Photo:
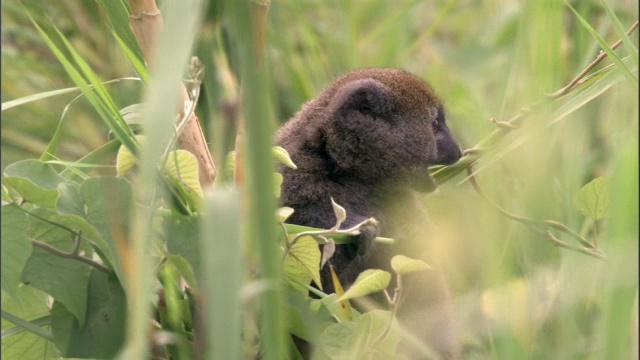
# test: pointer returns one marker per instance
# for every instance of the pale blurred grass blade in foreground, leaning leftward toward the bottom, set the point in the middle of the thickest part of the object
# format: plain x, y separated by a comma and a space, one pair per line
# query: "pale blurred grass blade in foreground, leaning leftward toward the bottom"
162, 102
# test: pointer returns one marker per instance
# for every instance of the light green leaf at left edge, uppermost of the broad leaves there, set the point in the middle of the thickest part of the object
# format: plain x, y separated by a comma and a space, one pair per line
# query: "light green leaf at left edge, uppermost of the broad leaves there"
35, 181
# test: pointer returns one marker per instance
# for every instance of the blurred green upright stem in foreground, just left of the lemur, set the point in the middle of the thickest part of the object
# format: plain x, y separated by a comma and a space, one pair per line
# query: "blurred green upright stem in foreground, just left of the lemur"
259, 169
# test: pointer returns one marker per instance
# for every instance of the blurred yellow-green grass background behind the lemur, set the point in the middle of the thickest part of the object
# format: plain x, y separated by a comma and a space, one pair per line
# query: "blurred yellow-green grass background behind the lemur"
487, 60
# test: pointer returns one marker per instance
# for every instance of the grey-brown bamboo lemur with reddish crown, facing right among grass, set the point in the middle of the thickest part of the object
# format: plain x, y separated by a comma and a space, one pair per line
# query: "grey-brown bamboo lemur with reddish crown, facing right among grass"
366, 141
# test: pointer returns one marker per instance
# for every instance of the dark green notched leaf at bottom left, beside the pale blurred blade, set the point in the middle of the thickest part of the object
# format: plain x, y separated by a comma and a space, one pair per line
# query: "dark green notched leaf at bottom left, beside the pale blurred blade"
104, 331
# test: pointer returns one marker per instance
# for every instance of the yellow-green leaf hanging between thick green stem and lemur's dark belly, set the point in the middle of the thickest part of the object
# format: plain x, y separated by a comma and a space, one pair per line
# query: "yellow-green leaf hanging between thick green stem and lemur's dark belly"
303, 263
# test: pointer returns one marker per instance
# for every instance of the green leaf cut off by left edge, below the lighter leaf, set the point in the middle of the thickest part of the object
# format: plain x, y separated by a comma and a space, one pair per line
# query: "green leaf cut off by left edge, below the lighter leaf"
16, 248
